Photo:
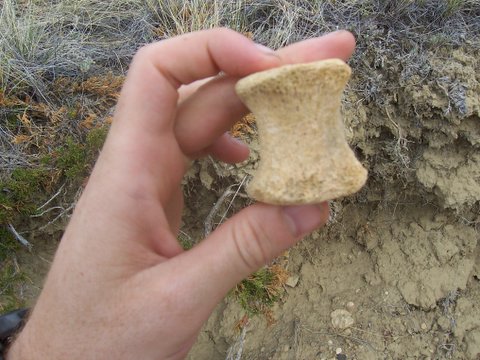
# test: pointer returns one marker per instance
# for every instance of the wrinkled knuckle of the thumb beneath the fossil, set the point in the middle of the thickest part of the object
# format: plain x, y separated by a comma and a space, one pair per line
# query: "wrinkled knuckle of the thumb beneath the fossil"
251, 241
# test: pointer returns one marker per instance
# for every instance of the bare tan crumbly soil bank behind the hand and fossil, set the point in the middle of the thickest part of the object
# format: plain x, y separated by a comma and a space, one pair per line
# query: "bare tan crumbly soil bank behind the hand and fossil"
401, 256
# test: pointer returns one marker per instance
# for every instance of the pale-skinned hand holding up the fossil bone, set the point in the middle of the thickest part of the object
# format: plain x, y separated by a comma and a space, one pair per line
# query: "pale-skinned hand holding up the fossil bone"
120, 286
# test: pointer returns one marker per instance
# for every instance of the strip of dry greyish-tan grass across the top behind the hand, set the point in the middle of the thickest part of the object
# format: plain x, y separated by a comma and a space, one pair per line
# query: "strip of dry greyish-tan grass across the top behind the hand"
45, 43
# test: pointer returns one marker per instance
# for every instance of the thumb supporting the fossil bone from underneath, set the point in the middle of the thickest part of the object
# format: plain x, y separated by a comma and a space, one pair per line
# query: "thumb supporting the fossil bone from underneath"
249, 240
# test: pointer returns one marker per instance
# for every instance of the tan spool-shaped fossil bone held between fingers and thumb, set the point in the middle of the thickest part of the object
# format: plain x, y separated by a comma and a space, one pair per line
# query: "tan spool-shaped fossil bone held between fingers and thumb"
304, 155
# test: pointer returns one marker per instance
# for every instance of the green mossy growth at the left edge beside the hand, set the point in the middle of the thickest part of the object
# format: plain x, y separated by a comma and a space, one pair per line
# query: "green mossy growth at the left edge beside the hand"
24, 189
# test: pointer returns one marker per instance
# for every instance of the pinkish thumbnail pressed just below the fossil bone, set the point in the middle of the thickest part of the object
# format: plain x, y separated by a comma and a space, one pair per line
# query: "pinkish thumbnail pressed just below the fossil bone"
306, 218
